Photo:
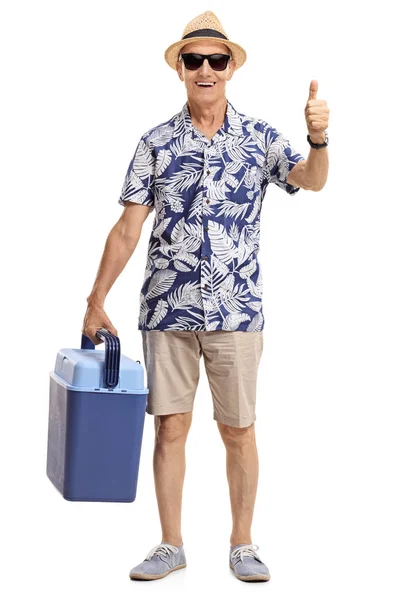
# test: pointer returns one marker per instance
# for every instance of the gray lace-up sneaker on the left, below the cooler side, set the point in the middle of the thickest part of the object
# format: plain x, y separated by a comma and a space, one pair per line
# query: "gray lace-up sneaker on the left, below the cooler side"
160, 561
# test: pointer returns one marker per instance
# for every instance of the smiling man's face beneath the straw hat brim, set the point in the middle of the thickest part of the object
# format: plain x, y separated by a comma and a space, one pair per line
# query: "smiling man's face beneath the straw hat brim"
205, 95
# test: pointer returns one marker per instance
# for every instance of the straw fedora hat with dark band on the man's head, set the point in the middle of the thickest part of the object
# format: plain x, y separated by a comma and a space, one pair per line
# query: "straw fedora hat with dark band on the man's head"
205, 26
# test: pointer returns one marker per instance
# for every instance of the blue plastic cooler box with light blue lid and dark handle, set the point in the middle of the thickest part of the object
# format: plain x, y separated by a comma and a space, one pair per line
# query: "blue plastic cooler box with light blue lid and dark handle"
96, 417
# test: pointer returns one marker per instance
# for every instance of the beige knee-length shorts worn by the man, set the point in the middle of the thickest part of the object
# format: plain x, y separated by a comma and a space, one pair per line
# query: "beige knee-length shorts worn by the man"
231, 359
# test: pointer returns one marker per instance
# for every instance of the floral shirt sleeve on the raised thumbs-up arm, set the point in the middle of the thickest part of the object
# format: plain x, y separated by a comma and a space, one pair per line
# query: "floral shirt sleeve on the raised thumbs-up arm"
281, 157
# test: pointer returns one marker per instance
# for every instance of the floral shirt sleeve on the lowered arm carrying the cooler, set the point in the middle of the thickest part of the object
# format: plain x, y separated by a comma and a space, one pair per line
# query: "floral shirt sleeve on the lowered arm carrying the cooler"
138, 185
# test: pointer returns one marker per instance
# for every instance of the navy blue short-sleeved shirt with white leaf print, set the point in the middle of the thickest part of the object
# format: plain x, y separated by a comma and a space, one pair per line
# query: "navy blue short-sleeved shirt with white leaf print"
202, 270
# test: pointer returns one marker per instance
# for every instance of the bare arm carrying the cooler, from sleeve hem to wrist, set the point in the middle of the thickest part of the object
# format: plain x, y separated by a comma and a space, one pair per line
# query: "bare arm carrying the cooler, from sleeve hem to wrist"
120, 244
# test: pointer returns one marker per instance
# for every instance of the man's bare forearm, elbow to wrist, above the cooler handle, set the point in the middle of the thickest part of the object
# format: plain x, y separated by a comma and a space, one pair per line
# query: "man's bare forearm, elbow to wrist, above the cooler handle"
117, 251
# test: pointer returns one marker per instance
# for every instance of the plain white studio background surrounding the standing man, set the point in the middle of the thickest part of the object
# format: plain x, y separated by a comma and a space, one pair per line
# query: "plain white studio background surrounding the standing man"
81, 82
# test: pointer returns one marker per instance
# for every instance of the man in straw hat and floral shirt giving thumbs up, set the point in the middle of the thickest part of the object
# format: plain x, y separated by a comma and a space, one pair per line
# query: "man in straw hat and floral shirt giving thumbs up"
205, 172
